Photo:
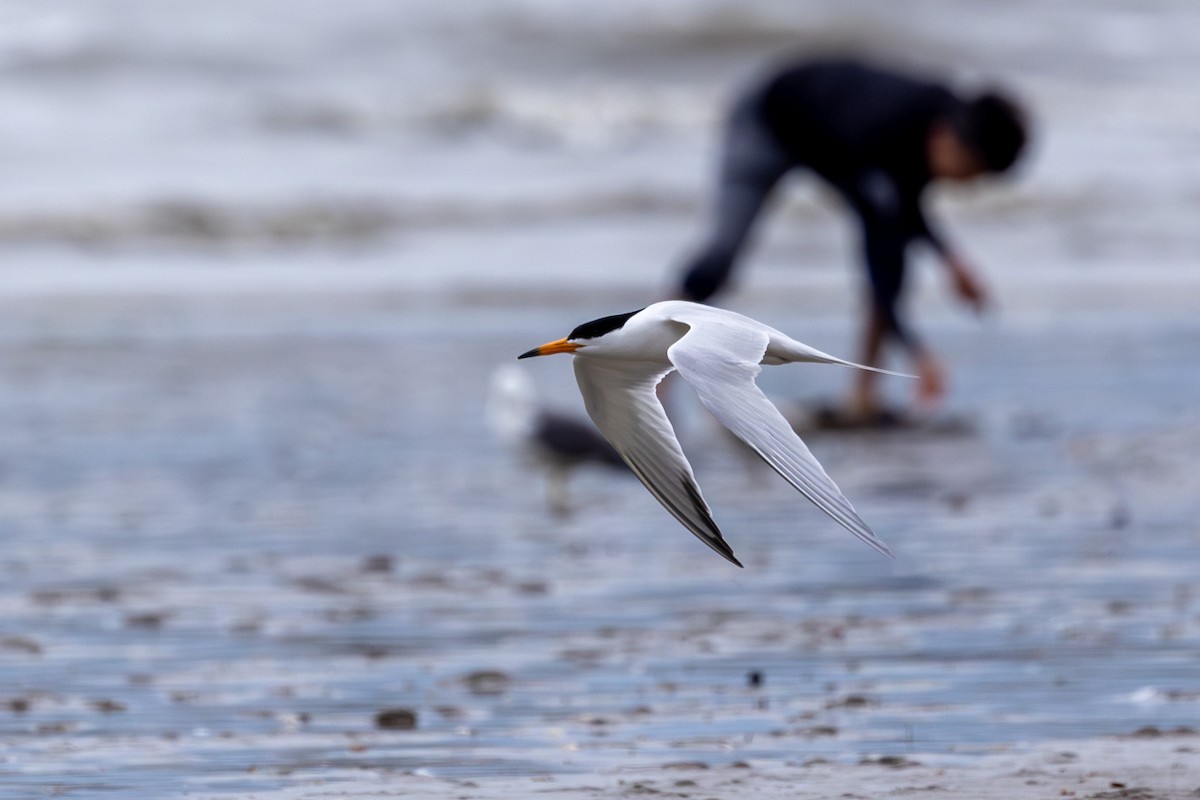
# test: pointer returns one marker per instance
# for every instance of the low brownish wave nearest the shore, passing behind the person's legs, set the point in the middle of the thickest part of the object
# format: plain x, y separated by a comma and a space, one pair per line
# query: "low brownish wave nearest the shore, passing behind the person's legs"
201, 222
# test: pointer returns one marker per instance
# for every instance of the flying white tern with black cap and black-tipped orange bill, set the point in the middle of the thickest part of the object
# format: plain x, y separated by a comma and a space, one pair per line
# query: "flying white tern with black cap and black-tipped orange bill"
621, 359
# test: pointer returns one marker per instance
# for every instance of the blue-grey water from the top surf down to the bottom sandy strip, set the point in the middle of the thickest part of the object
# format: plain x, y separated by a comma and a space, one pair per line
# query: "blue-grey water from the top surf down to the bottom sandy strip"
257, 276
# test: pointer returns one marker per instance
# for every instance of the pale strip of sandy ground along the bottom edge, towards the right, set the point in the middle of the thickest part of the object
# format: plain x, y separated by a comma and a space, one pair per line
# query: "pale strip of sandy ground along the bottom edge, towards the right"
1148, 767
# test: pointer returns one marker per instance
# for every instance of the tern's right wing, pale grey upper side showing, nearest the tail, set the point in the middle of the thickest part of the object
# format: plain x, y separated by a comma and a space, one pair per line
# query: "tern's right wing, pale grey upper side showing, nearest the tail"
722, 363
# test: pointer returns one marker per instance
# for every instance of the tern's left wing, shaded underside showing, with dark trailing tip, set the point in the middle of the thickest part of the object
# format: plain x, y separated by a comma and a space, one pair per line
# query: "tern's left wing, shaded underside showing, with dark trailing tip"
621, 399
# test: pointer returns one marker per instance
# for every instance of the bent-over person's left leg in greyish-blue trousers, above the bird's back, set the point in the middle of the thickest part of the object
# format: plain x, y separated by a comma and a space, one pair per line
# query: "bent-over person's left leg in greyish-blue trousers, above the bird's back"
752, 165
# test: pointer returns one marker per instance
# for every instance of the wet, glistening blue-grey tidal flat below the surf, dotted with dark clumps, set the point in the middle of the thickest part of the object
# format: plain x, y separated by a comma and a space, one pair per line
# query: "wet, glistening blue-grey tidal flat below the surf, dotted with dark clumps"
239, 528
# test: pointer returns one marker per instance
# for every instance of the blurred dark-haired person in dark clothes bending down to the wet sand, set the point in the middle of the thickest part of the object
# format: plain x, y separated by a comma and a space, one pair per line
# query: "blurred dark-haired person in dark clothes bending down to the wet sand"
879, 139
